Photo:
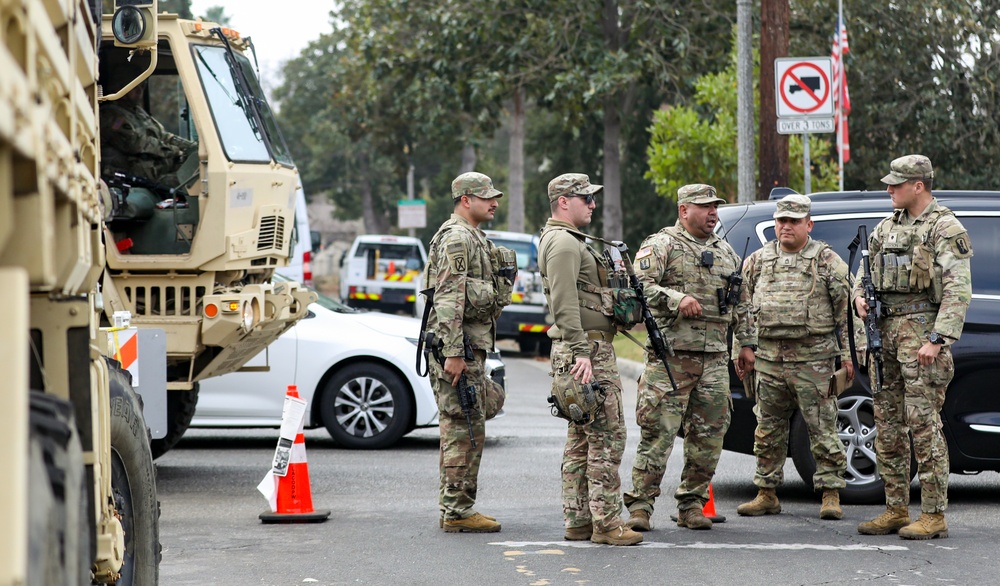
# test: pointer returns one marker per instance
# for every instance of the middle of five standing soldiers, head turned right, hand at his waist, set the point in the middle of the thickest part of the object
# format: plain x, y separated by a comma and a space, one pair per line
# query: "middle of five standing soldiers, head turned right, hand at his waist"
682, 268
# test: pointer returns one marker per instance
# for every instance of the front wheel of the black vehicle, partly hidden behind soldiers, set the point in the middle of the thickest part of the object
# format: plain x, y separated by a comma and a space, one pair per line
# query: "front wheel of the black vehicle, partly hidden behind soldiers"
856, 430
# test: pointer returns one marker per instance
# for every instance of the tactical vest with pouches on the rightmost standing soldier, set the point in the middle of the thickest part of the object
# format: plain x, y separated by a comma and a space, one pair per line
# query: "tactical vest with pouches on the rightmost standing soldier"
892, 265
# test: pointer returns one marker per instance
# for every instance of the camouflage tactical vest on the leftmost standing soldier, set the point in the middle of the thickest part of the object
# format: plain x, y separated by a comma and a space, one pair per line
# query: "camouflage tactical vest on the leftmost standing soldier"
486, 292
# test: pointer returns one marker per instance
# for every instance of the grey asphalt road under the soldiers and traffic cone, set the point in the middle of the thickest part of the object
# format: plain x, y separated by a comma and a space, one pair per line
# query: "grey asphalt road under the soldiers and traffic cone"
384, 524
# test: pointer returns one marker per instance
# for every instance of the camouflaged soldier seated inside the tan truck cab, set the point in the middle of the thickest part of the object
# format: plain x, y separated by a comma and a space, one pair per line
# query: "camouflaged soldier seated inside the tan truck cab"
135, 143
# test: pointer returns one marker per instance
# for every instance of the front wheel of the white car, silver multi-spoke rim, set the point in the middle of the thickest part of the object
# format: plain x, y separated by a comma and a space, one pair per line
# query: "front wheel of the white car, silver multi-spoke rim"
366, 406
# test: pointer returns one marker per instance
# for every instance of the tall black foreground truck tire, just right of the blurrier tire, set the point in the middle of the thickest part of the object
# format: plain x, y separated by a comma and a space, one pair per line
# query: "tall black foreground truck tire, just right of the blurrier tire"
133, 484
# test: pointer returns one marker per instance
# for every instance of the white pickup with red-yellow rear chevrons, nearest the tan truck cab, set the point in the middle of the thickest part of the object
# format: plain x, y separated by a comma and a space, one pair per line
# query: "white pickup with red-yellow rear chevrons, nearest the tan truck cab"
382, 272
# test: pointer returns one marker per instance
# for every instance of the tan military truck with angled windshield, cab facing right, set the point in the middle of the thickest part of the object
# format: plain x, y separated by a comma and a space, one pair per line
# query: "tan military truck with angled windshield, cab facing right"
194, 254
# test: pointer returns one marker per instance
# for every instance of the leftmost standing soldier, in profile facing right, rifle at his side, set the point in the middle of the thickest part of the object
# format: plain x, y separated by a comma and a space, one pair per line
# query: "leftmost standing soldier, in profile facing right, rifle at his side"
462, 268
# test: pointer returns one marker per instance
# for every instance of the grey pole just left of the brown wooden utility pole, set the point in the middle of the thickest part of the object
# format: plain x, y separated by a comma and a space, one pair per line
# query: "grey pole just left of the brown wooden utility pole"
746, 187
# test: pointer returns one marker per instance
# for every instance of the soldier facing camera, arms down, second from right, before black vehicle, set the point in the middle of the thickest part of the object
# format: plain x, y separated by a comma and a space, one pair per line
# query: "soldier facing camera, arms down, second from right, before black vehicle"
797, 298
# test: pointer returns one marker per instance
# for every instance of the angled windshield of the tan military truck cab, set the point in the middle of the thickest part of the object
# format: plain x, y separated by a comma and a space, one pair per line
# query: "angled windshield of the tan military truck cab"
238, 130
